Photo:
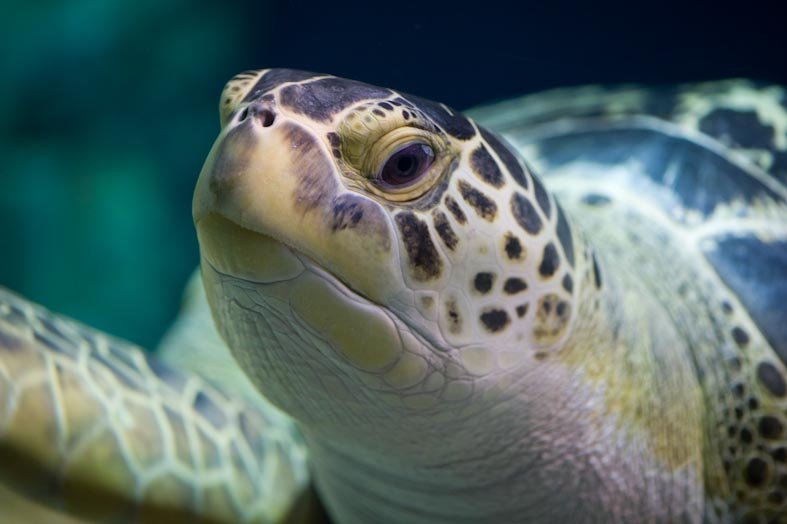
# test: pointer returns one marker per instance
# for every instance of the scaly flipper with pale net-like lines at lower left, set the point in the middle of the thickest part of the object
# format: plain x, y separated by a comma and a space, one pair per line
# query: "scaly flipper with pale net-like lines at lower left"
93, 427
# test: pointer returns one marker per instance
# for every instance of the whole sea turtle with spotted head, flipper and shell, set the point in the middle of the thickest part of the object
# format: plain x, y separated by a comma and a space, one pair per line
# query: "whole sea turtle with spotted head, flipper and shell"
451, 340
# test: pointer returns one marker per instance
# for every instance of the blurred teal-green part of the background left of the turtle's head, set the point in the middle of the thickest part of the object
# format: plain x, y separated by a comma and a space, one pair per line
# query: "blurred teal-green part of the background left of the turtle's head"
107, 111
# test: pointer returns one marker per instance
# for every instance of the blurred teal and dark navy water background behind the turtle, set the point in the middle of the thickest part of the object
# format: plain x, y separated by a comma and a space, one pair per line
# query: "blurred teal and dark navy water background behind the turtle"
108, 109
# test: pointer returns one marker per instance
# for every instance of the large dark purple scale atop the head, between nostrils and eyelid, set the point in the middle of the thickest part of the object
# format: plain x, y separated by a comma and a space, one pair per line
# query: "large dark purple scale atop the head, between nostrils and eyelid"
322, 99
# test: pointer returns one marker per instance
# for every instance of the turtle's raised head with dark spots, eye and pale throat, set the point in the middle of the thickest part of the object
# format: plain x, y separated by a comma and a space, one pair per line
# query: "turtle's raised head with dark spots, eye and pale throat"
371, 256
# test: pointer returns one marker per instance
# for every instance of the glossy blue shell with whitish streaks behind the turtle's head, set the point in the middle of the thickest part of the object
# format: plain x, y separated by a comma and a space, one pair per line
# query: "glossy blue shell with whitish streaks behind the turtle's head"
713, 156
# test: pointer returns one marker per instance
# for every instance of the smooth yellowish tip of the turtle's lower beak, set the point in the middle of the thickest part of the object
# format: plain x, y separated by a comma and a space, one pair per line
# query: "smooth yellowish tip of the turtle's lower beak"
234, 250
